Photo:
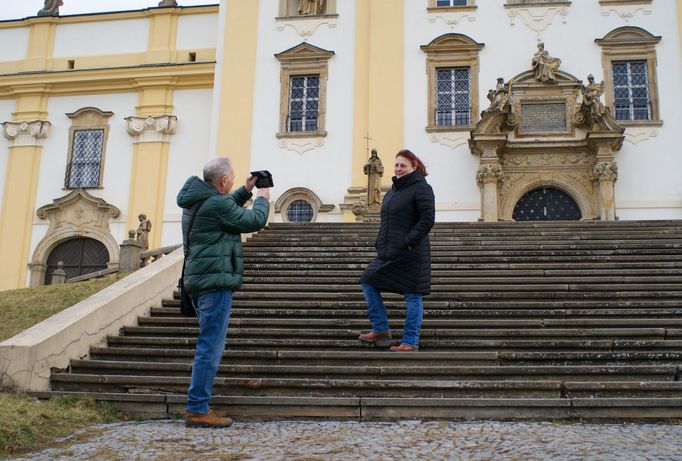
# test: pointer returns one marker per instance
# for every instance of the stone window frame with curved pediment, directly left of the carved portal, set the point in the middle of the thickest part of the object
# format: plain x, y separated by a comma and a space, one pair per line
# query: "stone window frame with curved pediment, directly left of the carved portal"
446, 51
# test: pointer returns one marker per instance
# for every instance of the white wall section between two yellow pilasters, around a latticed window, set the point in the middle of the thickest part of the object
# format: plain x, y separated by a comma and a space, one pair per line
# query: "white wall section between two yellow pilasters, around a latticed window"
325, 170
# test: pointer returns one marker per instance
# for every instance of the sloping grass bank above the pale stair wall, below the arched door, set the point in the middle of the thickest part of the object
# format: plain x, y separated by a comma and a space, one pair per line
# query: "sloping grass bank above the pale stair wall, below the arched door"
21, 309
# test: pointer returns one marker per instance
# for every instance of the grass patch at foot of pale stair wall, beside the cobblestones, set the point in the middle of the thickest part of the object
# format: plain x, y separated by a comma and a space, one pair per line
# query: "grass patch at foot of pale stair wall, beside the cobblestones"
29, 424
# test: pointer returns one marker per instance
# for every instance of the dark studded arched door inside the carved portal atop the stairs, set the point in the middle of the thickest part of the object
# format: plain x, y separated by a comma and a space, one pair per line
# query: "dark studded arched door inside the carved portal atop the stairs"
546, 204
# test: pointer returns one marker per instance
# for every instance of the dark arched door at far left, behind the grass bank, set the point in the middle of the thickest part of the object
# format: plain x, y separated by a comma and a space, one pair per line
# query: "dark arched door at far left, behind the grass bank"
80, 256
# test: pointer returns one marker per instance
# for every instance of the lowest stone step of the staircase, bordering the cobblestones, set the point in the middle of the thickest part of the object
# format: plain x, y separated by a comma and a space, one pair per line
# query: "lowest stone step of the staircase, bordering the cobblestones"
164, 405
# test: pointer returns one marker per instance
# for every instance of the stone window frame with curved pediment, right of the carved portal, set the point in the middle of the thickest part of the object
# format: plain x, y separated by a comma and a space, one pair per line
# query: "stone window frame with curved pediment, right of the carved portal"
631, 44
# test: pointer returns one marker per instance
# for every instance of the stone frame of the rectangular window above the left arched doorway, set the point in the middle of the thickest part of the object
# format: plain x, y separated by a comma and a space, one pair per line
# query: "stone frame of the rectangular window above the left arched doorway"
85, 119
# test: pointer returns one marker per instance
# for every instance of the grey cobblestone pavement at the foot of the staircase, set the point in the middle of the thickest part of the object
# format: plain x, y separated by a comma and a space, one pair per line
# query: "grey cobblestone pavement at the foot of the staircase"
385, 441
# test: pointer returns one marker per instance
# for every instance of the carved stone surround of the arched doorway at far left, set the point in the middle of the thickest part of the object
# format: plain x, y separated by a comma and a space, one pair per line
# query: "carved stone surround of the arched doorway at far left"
77, 214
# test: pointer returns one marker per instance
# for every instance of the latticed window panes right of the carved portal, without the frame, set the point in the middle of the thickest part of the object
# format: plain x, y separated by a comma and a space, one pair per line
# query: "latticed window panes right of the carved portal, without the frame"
631, 90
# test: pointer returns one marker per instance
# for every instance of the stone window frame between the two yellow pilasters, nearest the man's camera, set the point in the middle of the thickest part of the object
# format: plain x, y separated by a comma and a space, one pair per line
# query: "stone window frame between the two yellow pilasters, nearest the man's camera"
303, 59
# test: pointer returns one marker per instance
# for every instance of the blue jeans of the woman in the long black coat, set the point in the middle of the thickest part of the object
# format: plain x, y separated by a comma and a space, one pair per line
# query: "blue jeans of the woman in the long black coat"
379, 320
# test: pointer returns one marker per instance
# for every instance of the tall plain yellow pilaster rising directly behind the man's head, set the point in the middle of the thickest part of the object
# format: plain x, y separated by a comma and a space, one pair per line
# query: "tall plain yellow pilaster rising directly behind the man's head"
236, 85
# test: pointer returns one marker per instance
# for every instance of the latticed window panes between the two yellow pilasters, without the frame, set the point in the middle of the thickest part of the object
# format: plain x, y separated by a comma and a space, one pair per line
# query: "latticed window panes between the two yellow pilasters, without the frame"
304, 103
